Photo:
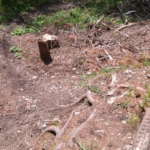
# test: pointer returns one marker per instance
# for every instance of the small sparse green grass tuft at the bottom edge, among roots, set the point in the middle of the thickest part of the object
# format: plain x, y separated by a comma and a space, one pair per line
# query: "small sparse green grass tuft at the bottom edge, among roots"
88, 146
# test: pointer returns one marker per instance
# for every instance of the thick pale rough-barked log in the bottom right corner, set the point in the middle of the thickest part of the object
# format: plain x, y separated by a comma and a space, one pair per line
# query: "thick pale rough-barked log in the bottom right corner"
142, 140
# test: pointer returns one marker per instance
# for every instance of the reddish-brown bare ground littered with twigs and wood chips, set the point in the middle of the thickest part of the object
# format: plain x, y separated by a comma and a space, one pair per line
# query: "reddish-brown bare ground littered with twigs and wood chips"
113, 63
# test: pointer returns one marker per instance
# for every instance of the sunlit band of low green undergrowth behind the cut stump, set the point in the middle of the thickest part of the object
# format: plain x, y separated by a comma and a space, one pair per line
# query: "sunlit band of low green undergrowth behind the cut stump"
61, 19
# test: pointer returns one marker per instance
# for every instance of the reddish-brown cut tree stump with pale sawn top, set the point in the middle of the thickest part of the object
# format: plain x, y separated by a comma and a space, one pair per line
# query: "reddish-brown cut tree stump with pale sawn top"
46, 43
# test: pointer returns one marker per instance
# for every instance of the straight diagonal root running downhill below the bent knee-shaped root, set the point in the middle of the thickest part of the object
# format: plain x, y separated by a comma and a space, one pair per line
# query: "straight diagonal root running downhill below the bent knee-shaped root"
76, 130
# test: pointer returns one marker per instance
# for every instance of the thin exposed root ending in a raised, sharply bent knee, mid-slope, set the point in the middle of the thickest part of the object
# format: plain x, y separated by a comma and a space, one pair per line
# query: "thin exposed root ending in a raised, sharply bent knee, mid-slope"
88, 95
